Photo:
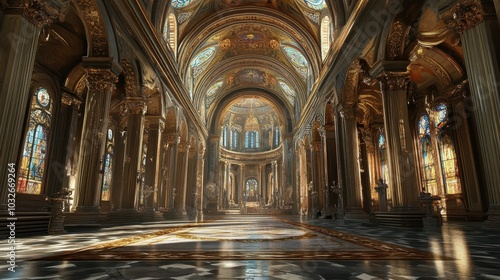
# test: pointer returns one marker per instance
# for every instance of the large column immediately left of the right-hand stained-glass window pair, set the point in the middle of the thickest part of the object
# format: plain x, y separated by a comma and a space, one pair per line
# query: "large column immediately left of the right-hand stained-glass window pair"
399, 140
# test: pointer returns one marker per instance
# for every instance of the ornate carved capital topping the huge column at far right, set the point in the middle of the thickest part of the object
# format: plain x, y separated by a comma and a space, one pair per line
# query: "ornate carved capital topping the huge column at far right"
464, 16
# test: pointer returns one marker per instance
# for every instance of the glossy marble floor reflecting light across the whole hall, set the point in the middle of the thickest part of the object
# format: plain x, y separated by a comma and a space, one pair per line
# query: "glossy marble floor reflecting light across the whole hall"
260, 247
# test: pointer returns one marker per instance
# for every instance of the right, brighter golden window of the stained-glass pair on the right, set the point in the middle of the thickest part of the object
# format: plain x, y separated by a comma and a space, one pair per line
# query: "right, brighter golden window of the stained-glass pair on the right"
447, 154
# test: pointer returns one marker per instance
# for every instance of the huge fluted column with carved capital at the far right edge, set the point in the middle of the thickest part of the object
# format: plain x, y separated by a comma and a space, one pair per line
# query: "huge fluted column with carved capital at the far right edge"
481, 61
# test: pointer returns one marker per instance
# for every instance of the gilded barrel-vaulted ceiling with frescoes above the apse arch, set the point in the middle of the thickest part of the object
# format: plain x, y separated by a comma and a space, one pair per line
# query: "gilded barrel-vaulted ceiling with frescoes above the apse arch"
229, 45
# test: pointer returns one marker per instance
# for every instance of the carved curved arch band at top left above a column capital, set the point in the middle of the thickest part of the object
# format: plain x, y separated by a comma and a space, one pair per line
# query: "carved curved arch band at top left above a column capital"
99, 43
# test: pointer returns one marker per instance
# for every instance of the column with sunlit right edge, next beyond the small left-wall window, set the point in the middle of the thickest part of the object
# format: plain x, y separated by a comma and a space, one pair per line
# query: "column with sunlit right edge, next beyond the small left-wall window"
133, 153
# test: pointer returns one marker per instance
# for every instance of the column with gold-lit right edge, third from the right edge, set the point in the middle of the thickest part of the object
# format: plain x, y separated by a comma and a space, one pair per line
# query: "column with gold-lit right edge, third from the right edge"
352, 183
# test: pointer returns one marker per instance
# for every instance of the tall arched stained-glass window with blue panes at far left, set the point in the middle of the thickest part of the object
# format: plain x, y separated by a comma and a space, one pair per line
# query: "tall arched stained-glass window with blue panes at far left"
32, 167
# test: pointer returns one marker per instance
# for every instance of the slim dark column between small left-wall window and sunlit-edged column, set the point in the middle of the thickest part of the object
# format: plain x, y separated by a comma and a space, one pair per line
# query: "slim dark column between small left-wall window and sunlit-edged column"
118, 159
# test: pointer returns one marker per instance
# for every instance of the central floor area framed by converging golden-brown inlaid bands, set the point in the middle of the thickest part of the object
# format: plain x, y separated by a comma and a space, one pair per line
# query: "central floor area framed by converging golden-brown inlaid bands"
246, 238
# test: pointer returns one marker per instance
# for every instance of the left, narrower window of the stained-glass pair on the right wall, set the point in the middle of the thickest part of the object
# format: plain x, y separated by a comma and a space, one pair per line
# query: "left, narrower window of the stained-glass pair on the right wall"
427, 152
